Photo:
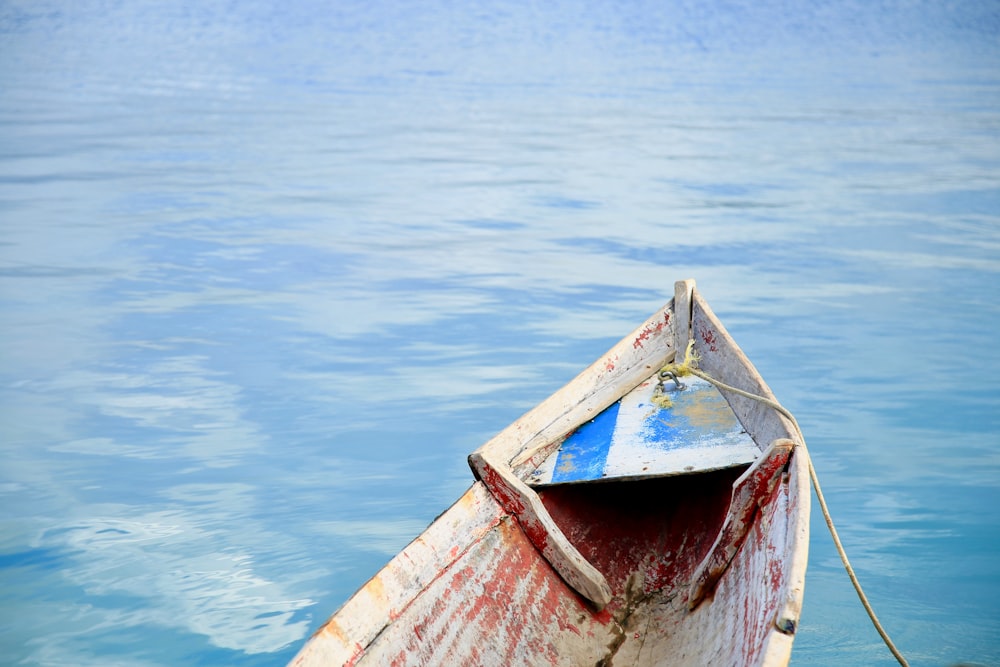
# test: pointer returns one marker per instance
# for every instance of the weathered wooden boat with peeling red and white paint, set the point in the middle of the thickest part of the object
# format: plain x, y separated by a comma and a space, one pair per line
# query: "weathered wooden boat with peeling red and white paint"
623, 521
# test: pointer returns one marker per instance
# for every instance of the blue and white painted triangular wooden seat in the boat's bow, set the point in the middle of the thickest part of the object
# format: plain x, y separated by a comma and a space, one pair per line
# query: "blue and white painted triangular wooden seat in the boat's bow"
662, 427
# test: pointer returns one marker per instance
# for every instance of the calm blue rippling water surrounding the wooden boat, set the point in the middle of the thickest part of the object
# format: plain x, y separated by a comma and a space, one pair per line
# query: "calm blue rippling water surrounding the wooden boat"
268, 274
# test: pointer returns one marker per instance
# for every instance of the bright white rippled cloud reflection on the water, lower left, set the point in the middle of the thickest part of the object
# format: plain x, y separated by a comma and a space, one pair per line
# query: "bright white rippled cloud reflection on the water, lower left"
183, 572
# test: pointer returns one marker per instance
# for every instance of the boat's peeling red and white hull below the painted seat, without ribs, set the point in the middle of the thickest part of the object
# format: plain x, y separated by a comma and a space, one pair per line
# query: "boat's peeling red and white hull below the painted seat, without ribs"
474, 590
